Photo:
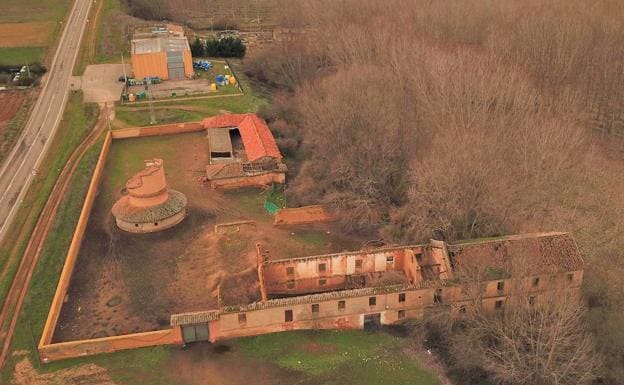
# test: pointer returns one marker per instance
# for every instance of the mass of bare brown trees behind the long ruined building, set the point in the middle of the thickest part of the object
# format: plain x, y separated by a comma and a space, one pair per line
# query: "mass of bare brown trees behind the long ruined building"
456, 120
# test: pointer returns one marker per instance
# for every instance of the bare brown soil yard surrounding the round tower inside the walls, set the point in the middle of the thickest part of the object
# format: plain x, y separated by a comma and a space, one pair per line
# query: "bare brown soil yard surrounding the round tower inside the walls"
127, 283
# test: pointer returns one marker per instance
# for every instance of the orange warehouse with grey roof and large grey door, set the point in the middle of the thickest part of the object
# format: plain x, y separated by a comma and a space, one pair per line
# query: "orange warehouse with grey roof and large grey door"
165, 54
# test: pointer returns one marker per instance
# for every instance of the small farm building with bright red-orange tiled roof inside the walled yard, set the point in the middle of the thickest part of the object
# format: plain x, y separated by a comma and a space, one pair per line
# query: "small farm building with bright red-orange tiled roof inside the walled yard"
243, 152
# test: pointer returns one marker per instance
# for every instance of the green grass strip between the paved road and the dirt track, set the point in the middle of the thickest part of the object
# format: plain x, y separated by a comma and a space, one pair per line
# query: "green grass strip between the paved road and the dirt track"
77, 121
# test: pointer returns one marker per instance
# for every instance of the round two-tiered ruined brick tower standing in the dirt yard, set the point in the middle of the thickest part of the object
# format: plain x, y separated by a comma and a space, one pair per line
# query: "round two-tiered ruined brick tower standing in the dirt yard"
148, 205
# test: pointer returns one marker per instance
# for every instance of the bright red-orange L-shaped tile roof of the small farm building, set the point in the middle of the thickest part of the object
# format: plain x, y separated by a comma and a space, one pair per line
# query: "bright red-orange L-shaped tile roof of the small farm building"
257, 137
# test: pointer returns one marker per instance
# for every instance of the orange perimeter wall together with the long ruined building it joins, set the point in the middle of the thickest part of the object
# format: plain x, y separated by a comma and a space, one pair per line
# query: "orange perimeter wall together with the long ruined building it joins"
351, 289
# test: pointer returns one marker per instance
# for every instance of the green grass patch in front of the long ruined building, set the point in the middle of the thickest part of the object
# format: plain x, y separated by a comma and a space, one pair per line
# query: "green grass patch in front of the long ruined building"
340, 357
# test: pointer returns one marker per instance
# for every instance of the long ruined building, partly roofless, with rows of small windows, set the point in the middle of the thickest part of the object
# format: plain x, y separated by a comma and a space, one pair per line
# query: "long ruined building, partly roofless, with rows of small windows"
390, 284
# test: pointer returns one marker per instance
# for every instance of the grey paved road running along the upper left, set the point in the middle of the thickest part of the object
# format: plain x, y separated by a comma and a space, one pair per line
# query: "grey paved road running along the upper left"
20, 166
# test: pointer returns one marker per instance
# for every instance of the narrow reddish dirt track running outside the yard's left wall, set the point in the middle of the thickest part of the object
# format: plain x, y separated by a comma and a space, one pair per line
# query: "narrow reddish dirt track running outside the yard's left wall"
14, 300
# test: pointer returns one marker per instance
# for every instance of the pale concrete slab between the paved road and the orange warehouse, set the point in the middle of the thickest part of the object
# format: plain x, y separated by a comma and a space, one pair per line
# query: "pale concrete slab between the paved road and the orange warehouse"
100, 82
